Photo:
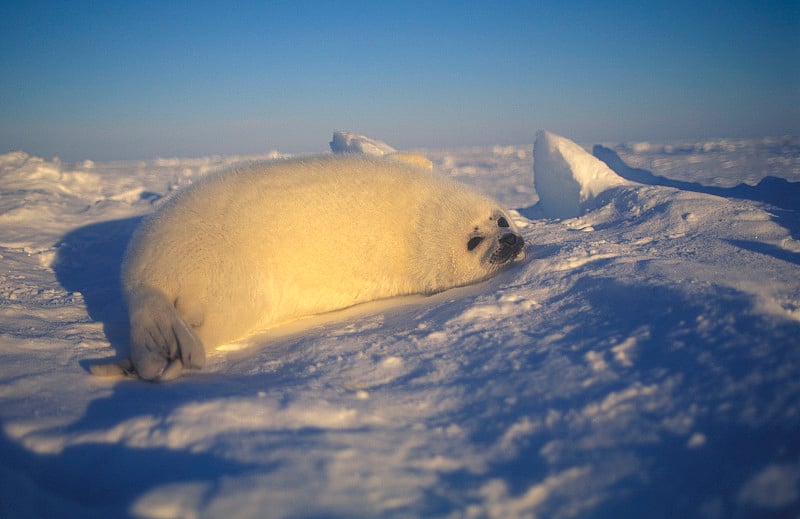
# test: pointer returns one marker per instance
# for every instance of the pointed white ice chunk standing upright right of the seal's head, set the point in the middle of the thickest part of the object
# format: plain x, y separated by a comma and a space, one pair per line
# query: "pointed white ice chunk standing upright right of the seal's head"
567, 177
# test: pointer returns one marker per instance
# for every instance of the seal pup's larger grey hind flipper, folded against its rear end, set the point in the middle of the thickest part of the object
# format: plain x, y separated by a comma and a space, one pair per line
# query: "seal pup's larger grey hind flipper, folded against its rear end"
162, 344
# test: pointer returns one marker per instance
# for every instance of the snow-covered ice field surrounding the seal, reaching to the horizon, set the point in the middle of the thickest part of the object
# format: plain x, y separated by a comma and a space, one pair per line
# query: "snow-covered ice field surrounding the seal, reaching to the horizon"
642, 361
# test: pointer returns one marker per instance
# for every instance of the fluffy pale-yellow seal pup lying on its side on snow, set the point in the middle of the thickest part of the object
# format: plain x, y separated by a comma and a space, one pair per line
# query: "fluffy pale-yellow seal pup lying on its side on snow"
248, 248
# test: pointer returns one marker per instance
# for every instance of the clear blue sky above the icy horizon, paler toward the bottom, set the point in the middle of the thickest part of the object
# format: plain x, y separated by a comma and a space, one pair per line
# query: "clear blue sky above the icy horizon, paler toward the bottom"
135, 80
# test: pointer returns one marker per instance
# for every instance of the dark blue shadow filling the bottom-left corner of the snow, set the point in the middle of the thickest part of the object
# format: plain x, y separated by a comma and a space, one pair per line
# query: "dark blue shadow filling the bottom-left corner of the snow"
98, 479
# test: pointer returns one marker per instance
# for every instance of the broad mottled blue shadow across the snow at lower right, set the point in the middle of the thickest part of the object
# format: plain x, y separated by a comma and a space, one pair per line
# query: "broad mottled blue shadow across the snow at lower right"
712, 358
